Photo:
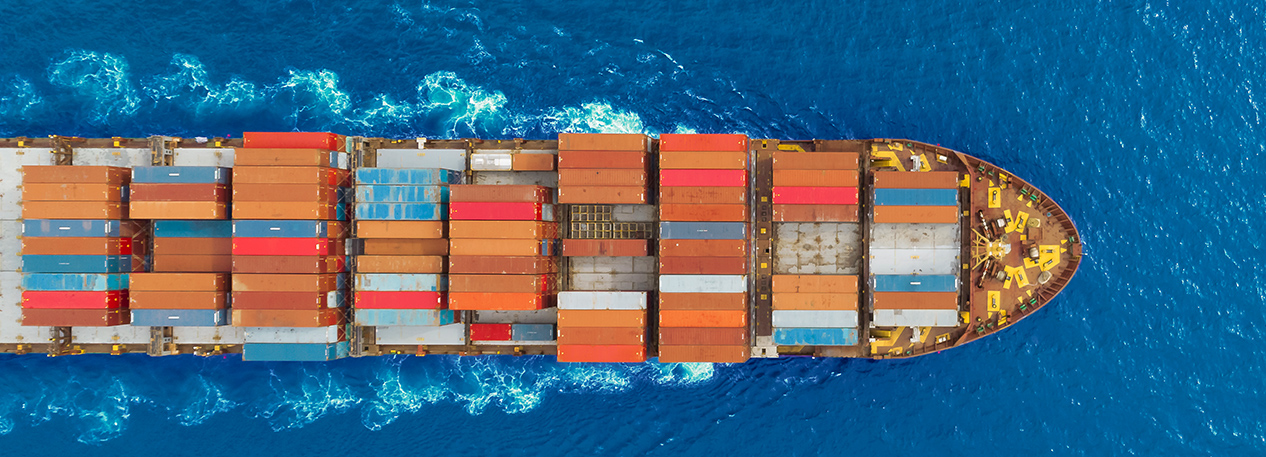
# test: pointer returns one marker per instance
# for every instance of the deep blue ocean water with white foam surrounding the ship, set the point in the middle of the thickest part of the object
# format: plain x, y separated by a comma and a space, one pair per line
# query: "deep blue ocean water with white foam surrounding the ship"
1141, 118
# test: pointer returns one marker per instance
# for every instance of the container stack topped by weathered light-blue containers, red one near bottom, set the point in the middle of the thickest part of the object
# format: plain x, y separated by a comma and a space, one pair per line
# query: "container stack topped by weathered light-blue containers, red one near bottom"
402, 261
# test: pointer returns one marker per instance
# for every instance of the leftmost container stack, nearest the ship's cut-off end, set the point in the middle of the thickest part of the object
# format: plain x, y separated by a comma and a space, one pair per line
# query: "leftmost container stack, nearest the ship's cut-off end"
78, 247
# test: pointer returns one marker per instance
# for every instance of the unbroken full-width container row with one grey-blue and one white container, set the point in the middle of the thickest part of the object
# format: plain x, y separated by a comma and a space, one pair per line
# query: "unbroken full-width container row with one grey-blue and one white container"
703, 249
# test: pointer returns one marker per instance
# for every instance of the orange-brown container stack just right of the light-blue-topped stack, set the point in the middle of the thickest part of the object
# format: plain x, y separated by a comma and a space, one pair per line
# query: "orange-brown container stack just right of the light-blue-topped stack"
502, 249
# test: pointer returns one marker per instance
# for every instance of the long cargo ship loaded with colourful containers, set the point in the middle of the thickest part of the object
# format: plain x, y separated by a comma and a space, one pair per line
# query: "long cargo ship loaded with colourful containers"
588, 247
